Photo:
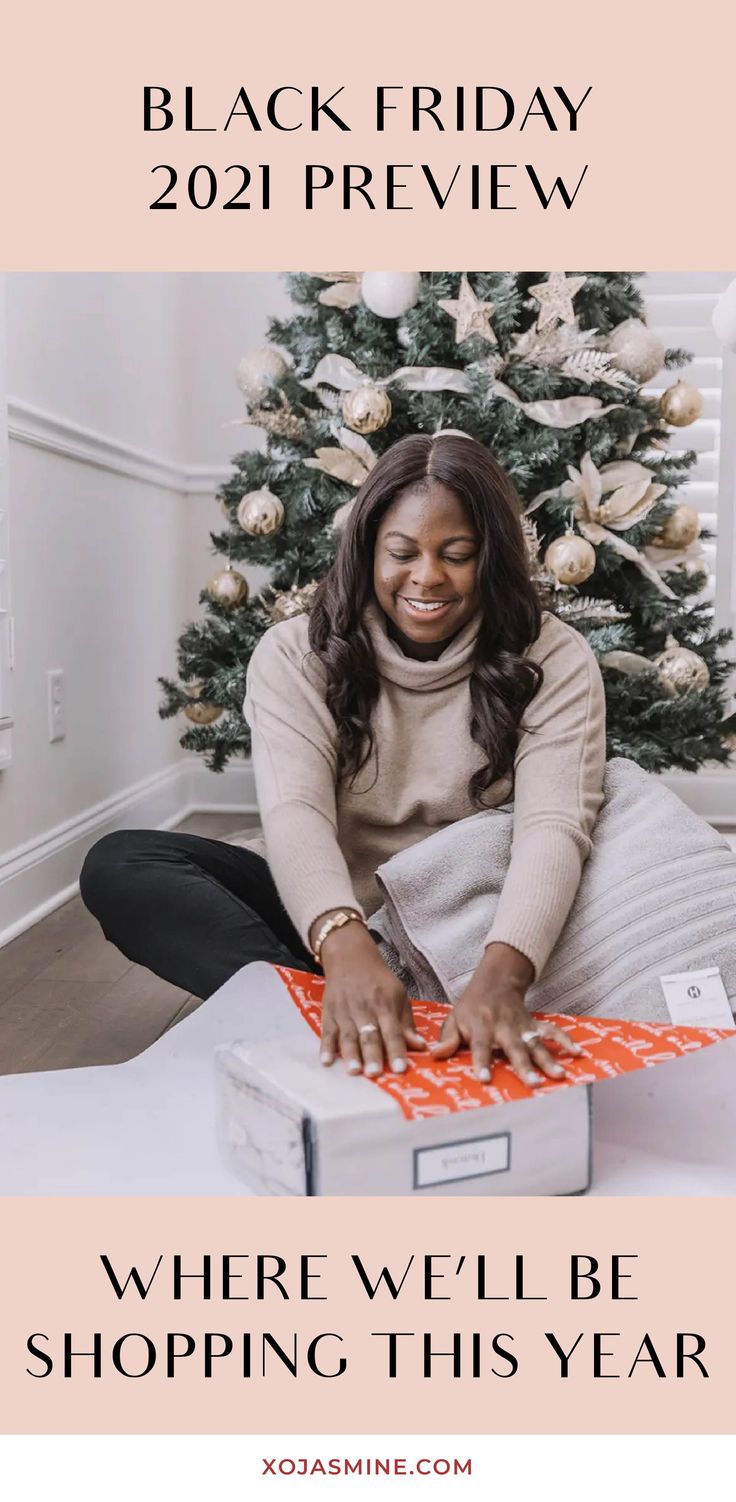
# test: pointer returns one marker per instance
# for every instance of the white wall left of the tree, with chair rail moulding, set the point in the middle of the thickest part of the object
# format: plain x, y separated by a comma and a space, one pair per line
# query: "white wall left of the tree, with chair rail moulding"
98, 562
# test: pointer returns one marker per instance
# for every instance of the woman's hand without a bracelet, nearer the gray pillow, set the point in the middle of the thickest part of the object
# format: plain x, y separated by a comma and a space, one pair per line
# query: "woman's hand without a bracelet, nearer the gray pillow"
492, 1016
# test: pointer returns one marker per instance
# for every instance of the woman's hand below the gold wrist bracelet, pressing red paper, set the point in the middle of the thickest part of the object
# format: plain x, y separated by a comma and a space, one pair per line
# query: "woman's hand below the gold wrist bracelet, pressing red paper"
366, 1013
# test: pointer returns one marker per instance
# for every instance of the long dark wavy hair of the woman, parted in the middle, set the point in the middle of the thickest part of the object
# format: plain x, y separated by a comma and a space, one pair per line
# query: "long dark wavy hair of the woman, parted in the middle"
502, 681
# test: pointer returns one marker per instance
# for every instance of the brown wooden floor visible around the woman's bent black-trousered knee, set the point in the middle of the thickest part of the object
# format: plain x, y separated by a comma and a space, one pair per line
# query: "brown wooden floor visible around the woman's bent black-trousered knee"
70, 998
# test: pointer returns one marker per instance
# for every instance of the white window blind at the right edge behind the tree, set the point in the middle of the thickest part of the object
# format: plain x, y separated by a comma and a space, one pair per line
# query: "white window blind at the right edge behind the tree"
680, 310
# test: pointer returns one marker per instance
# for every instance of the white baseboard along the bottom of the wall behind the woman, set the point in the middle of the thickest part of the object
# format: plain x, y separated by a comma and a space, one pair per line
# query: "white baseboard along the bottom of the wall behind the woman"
40, 876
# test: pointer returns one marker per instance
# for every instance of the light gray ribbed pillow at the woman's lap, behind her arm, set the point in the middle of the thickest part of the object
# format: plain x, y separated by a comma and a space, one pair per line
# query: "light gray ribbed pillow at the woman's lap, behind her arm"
657, 894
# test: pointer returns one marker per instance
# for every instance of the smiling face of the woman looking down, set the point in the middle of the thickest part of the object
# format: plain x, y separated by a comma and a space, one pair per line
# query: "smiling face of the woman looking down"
426, 567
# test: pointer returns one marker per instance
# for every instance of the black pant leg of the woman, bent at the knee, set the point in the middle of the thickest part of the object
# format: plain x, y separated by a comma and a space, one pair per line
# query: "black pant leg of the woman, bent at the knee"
193, 911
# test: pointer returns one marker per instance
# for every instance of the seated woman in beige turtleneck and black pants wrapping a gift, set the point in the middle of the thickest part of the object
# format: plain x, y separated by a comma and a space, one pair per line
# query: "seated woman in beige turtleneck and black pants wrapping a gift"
424, 686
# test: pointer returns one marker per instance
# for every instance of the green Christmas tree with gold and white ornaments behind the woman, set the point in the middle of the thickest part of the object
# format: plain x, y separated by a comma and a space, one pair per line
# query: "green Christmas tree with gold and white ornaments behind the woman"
547, 370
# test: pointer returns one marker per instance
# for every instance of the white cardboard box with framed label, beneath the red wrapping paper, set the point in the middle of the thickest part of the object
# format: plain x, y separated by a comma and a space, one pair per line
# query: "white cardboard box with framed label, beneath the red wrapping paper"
288, 1126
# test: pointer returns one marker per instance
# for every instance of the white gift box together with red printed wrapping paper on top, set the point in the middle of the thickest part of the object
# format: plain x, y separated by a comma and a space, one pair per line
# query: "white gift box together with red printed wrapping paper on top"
289, 1126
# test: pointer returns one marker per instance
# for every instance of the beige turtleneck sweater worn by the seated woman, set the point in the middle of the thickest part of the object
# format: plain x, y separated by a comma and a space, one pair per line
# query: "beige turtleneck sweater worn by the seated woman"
325, 843
